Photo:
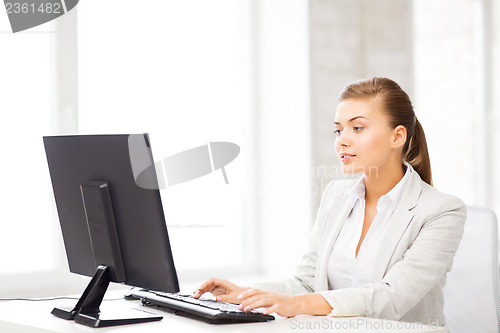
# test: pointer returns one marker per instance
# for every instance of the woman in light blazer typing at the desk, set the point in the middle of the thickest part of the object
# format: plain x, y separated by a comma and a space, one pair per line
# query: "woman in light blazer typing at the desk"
382, 244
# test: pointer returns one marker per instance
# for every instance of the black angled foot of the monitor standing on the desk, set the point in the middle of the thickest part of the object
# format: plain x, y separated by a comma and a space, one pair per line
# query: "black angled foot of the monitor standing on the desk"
87, 312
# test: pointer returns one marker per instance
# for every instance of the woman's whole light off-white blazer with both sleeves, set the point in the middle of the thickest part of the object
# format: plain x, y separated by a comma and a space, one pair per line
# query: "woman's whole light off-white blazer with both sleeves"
416, 253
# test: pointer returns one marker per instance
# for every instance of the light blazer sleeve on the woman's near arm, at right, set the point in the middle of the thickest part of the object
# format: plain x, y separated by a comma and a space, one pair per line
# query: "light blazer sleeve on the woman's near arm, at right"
421, 268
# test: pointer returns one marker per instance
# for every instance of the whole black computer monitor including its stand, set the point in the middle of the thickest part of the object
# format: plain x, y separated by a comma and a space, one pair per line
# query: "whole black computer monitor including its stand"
113, 229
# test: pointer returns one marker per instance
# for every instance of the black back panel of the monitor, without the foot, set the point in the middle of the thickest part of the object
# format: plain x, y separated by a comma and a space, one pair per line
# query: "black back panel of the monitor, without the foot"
138, 213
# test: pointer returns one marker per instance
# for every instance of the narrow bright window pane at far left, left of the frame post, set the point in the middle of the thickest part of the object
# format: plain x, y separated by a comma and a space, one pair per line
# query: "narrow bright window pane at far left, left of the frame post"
27, 216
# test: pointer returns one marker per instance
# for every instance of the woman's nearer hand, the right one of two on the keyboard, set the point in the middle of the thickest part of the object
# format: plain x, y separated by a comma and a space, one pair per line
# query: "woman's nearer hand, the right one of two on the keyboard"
284, 305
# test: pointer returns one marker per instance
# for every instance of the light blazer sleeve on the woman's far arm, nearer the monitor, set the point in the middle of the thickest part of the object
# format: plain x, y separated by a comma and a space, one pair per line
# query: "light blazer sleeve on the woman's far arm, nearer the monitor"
303, 279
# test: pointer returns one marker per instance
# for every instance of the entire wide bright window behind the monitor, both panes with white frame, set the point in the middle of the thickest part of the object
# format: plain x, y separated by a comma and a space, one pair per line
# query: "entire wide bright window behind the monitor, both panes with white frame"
188, 72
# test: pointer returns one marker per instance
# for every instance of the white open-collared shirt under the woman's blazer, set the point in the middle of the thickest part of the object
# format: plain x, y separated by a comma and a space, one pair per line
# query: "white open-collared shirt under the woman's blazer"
345, 270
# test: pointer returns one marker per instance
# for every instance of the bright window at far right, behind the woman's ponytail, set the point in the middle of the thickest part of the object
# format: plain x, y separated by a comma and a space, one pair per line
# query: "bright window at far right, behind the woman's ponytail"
449, 83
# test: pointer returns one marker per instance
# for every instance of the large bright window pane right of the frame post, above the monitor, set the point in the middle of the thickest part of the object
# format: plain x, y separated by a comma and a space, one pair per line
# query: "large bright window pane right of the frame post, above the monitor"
179, 73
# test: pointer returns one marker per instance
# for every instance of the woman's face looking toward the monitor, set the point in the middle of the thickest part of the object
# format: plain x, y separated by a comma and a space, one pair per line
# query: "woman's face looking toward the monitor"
364, 138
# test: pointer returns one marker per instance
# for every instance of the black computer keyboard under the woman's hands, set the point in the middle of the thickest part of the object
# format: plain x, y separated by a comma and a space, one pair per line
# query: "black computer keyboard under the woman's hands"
206, 310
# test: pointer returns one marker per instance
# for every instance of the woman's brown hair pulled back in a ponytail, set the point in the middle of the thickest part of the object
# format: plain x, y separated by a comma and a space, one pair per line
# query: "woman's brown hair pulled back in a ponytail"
397, 106
